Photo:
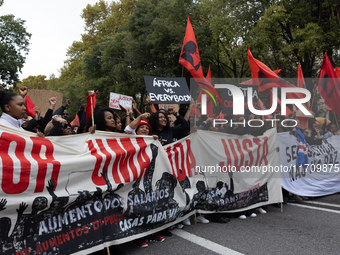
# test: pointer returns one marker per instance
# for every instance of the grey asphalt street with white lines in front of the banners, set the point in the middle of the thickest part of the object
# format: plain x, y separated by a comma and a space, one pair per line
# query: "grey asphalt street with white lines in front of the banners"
308, 227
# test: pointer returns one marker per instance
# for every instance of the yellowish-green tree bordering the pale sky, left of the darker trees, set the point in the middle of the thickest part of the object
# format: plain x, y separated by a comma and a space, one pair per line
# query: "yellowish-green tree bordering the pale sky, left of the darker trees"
102, 21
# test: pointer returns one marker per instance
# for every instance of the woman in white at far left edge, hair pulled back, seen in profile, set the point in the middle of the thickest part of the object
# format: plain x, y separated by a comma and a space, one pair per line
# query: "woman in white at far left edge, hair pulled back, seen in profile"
13, 108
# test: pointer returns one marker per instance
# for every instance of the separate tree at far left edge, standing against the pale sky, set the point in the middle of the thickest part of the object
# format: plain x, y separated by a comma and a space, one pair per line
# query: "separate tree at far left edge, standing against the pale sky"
14, 41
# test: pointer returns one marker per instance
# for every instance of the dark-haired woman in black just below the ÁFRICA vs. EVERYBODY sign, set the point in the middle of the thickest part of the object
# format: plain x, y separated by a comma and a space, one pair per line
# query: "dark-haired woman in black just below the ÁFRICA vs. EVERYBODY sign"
159, 123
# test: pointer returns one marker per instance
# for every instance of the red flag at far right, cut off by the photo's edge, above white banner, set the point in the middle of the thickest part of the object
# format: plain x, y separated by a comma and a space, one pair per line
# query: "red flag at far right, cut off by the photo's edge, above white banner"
328, 86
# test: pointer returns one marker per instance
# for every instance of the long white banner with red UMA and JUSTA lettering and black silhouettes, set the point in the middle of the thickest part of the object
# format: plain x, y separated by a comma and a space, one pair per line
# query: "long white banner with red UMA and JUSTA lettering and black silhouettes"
80, 193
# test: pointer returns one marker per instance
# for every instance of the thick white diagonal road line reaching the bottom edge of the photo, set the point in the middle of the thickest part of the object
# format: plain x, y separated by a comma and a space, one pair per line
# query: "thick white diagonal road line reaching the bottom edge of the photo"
215, 247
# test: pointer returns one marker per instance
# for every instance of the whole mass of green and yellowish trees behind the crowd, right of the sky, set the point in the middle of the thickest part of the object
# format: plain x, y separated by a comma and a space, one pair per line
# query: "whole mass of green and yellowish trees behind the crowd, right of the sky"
126, 40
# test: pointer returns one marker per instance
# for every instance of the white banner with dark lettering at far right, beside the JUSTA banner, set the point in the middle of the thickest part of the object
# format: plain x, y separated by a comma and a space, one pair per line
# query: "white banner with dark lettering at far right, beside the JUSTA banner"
321, 177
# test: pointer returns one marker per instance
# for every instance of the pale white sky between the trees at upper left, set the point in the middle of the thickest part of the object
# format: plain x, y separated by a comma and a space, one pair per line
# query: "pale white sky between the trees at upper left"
54, 26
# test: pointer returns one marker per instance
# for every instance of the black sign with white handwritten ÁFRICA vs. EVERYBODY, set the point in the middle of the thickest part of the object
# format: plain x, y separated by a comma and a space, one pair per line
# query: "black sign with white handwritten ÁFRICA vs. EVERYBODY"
167, 90
